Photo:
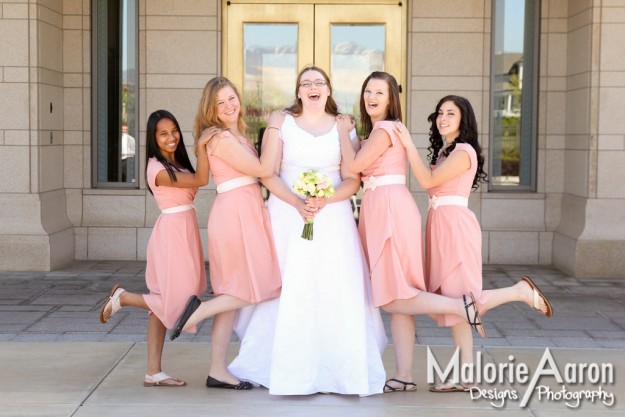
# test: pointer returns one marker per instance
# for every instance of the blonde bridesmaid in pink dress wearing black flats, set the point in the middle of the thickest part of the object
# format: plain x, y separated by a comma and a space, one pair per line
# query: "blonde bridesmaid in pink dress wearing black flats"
242, 258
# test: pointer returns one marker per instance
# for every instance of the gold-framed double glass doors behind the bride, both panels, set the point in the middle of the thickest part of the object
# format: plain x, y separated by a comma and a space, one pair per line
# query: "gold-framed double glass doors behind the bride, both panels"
266, 44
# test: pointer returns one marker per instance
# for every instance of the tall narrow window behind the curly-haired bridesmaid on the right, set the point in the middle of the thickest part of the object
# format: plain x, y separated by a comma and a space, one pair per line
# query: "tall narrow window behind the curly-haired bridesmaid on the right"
514, 95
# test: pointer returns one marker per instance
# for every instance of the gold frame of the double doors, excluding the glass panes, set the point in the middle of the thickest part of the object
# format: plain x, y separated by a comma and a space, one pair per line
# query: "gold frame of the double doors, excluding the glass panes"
314, 18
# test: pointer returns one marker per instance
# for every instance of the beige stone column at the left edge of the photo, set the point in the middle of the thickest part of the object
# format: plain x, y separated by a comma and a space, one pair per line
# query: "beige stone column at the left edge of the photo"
35, 233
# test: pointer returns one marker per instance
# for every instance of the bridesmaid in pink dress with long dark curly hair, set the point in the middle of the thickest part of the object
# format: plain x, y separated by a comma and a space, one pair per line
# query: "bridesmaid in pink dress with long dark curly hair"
453, 234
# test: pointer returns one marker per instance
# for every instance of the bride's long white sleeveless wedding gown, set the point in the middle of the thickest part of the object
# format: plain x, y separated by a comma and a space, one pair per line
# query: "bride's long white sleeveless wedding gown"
322, 334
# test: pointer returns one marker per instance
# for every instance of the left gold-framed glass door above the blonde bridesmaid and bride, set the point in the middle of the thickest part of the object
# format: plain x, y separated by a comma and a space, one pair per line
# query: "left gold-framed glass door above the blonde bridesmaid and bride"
264, 47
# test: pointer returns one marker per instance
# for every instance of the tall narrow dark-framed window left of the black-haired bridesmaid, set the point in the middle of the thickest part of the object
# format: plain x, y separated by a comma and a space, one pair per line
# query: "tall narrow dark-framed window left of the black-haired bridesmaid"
115, 93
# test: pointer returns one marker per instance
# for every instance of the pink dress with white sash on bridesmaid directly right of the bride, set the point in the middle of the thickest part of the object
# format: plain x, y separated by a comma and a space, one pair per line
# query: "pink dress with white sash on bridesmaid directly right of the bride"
390, 225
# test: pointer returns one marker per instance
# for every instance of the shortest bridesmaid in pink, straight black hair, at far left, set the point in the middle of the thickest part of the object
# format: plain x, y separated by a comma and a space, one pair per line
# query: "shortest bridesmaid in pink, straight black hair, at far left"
175, 264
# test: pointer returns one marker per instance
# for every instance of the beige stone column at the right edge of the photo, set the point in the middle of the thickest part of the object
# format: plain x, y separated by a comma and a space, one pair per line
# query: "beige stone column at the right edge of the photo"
590, 239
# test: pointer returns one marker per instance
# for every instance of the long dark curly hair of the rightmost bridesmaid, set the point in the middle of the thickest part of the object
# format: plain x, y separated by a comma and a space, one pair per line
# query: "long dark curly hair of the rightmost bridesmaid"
468, 134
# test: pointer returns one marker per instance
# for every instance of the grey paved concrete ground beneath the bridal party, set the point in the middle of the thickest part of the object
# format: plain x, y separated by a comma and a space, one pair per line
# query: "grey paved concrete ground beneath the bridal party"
56, 359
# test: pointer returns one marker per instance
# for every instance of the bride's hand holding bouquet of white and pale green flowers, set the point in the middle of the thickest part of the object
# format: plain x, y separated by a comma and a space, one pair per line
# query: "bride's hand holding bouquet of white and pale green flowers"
316, 187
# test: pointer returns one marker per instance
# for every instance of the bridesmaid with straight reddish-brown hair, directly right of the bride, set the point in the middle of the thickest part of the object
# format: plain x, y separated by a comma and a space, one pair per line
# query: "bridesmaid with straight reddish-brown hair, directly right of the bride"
390, 227
